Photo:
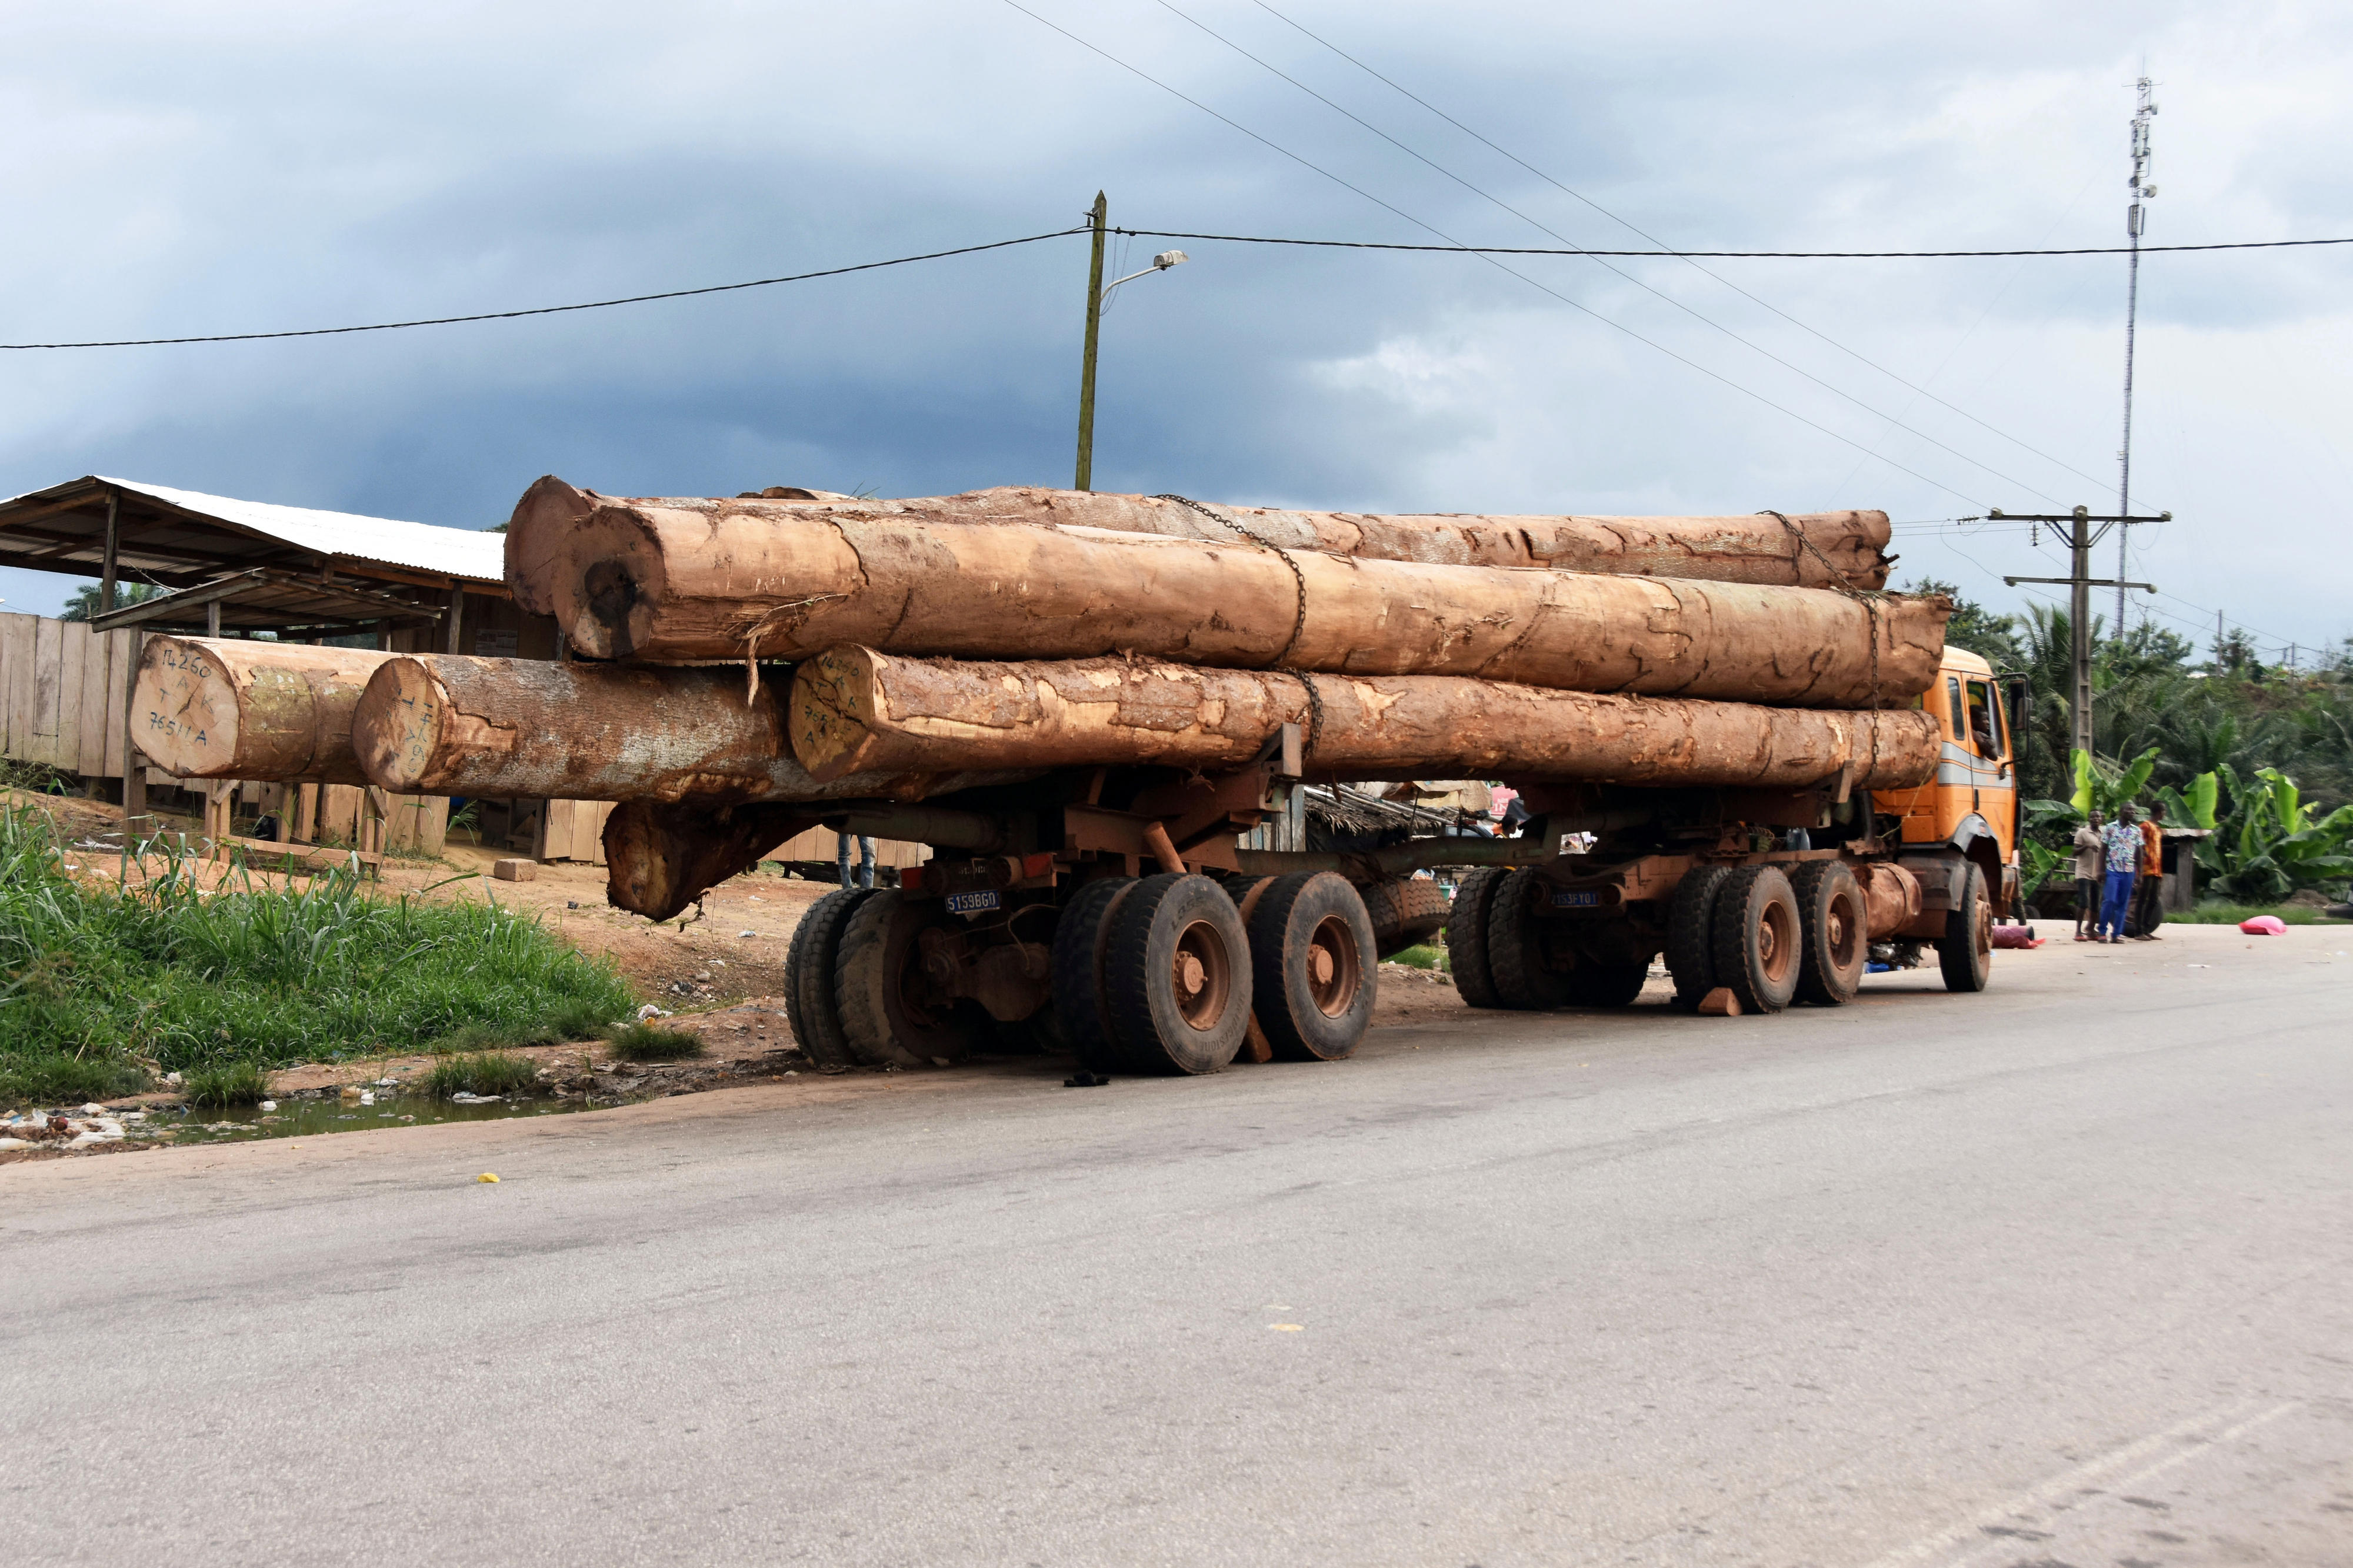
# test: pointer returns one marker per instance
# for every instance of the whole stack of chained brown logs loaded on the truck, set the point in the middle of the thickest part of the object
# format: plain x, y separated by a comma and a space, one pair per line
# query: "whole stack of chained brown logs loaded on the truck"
742, 663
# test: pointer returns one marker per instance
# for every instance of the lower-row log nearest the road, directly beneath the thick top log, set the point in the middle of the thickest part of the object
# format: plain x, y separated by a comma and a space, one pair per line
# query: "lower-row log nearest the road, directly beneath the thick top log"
860, 710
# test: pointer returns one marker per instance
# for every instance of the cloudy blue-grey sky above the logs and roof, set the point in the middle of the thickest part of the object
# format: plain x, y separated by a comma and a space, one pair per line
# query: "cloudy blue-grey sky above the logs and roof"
253, 166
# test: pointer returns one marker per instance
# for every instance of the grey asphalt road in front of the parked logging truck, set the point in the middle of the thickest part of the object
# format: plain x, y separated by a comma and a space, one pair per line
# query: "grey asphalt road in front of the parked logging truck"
2053, 1275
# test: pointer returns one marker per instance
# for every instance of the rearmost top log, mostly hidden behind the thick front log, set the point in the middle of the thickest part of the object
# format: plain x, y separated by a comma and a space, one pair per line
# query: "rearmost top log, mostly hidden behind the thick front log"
1808, 552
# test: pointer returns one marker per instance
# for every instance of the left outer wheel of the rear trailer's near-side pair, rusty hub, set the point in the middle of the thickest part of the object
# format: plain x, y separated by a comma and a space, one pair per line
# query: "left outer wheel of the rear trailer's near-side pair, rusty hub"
1178, 976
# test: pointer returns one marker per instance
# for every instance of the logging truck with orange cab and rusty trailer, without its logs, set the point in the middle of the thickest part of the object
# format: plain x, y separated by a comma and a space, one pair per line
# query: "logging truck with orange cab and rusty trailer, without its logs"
1114, 910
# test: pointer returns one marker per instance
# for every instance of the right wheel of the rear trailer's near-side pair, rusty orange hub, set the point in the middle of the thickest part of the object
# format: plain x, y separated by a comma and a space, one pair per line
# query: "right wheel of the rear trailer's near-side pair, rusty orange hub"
1312, 962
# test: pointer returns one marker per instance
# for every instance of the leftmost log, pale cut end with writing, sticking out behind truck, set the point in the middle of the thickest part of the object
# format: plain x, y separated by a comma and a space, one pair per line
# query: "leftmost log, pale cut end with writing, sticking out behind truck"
236, 710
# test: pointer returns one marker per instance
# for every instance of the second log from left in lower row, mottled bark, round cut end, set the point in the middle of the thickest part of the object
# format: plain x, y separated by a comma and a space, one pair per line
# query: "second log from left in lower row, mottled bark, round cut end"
533, 731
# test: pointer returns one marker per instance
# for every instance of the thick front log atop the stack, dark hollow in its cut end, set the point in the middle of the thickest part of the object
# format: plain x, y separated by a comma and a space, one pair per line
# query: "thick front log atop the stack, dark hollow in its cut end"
662, 583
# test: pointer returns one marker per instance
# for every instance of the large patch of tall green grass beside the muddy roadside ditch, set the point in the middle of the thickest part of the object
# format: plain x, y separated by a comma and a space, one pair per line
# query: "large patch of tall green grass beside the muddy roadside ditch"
175, 976
